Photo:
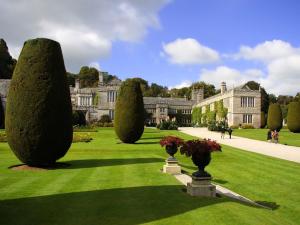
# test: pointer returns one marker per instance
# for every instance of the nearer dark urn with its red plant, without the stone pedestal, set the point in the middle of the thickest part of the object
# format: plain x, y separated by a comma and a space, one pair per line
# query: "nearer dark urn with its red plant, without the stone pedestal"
200, 150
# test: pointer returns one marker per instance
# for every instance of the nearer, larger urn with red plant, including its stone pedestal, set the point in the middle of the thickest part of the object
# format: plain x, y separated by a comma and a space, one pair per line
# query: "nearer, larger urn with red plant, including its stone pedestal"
200, 152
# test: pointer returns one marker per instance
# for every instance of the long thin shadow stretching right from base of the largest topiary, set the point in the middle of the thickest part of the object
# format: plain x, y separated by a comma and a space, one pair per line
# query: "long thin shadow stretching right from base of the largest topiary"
90, 163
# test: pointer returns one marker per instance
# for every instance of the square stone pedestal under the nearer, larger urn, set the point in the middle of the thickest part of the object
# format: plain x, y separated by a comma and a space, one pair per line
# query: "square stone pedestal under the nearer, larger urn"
201, 186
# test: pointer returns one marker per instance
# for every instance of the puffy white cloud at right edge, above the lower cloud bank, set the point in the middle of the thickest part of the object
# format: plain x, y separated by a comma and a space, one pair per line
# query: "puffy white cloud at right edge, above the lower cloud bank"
267, 51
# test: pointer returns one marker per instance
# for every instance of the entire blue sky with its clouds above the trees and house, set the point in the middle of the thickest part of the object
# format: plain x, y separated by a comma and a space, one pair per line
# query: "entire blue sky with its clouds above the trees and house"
169, 42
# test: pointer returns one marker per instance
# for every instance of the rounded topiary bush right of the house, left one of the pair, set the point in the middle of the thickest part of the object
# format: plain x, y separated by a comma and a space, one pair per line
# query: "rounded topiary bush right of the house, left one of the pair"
274, 120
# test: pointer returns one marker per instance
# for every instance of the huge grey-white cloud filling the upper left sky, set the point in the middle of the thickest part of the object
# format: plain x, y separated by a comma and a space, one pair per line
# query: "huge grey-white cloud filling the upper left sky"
86, 29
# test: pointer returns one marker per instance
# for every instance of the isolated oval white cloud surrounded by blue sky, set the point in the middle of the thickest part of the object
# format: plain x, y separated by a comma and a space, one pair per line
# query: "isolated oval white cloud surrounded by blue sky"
189, 51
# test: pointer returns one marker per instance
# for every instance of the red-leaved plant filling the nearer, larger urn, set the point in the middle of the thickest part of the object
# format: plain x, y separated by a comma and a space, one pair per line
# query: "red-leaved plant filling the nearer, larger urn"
193, 147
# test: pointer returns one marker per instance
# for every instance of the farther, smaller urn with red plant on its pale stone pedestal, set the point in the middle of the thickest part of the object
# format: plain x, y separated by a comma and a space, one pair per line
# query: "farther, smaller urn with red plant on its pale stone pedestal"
171, 143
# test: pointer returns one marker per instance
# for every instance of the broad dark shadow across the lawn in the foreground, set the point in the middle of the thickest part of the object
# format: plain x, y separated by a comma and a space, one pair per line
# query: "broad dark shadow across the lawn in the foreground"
121, 206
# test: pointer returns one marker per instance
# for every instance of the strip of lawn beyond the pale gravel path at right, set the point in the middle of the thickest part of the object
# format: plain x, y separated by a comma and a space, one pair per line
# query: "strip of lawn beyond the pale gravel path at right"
285, 136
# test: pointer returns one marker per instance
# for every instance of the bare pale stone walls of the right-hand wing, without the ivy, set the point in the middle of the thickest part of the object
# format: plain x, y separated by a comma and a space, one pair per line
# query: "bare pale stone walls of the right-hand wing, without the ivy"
243, 104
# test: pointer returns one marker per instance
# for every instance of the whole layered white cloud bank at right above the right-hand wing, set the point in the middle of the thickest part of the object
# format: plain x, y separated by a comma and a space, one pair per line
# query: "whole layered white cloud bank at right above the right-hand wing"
281, 66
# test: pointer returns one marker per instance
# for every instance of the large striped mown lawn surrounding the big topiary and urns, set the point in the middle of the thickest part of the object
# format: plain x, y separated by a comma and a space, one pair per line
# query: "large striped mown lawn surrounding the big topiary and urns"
113, 183
